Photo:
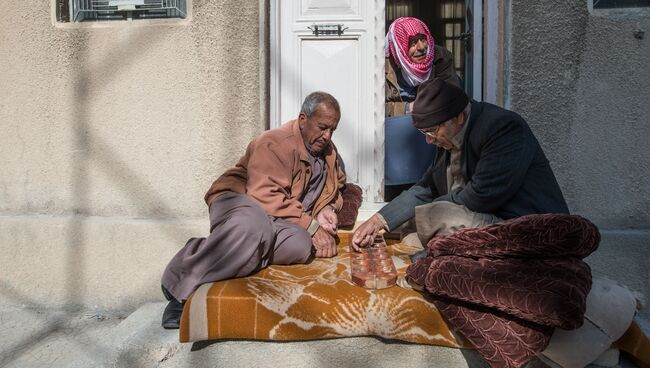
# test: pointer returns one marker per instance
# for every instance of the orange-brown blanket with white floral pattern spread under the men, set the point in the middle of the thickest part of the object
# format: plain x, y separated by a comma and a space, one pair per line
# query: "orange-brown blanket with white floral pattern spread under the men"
314, 301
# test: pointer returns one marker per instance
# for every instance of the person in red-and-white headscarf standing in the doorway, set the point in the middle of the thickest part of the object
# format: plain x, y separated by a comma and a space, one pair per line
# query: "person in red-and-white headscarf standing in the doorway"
411, 59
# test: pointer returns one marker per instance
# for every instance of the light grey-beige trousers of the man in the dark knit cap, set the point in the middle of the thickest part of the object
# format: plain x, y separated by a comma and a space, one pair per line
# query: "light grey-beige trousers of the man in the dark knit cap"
442, 218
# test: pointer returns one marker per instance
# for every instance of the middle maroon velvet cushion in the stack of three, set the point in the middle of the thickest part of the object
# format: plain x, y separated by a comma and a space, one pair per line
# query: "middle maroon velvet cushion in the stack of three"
550, 292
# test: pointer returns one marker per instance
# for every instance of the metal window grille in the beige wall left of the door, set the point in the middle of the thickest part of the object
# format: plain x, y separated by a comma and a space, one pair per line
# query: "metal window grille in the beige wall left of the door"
100, 10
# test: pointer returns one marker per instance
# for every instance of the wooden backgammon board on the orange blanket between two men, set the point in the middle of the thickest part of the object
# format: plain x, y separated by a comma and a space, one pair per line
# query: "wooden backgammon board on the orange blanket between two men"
373, 267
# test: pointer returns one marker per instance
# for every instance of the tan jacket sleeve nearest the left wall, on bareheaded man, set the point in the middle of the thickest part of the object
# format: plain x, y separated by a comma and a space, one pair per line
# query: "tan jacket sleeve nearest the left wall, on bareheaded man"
270, 177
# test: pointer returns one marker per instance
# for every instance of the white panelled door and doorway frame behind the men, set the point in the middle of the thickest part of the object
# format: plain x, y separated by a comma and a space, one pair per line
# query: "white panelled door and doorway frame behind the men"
350, 66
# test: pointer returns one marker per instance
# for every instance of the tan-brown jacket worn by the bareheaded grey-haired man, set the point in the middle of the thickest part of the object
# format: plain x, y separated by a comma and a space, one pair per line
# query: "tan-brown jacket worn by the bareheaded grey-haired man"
275, 171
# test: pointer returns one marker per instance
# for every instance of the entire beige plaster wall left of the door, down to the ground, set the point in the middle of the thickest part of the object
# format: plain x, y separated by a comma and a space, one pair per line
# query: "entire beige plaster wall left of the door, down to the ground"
109, 137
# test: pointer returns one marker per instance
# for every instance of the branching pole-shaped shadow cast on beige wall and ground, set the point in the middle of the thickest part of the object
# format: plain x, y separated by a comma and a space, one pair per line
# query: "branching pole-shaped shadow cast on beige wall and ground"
83, 141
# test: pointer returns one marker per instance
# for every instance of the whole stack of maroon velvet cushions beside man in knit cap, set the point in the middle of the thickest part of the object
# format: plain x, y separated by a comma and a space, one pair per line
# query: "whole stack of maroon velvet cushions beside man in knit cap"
507, 285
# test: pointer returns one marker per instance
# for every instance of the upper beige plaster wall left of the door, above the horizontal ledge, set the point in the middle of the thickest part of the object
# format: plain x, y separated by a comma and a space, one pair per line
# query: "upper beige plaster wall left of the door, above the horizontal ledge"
124, 121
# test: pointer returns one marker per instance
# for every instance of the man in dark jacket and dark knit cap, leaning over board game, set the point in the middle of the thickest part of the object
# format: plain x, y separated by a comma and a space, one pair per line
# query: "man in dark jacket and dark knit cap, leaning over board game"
489, 167
